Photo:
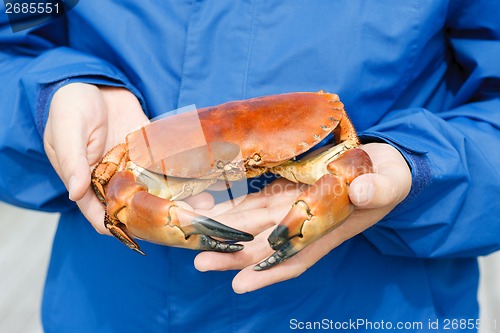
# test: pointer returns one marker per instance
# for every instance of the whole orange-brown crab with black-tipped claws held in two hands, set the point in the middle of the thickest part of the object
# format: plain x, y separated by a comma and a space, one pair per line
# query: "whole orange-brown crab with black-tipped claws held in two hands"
140, 181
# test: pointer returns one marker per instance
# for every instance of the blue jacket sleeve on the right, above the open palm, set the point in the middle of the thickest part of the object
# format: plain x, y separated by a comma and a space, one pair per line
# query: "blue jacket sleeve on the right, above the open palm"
453, 209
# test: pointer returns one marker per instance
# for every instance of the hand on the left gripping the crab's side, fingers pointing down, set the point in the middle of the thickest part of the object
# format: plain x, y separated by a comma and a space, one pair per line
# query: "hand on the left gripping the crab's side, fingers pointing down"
85, 121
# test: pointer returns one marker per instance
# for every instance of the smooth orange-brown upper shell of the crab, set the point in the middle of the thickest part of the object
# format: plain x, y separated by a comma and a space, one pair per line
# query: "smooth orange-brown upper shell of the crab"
268, 130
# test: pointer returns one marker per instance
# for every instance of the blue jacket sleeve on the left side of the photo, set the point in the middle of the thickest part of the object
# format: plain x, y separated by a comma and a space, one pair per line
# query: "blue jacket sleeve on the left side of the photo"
31, 61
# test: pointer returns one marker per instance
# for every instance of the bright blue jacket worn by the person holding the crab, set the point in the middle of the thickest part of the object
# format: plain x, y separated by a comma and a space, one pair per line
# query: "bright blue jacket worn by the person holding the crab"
421, 75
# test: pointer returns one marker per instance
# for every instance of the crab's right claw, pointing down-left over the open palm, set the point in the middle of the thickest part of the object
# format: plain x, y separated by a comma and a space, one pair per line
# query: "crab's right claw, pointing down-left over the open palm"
324, 206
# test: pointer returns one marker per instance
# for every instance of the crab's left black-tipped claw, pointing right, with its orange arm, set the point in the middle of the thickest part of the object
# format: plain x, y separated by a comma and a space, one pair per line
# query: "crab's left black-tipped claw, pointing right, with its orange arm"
134, 213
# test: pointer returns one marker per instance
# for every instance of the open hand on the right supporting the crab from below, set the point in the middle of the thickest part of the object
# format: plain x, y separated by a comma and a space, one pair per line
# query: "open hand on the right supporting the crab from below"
374, 196
